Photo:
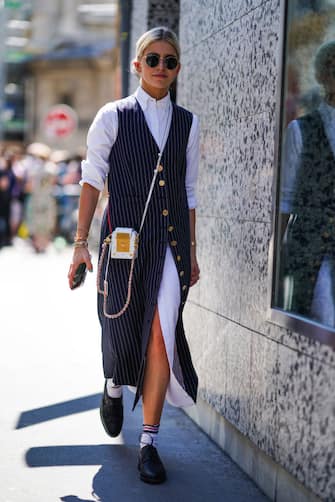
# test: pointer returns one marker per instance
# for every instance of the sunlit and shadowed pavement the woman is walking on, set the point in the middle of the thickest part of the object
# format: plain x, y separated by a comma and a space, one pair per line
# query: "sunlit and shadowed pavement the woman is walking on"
53, 447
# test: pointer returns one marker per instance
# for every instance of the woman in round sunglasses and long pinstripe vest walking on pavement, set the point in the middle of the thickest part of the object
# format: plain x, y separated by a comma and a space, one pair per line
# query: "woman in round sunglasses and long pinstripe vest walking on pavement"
128, 141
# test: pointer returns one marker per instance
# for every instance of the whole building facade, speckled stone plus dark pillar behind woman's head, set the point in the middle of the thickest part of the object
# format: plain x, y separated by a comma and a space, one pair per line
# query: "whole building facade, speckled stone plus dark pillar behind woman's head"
265, 388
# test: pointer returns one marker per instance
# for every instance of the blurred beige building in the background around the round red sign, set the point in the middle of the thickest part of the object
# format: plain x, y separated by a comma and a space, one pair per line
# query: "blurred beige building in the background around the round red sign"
68, 55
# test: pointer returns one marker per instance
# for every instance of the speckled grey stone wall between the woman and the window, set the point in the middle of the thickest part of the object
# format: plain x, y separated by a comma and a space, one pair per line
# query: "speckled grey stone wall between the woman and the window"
274, 386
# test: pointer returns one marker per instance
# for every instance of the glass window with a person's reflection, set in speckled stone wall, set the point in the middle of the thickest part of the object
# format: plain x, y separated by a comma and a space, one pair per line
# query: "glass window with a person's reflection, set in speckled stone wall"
304, 283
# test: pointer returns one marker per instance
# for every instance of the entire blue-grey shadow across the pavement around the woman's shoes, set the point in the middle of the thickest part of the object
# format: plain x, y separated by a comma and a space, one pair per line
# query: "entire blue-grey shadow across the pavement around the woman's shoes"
197, 469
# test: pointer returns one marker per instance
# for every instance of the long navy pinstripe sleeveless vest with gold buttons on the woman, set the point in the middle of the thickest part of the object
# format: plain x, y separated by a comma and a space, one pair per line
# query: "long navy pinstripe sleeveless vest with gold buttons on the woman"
132, 160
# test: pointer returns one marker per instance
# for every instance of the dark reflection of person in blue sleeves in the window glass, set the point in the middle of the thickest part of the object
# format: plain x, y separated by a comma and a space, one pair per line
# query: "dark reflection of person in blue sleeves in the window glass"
309, 192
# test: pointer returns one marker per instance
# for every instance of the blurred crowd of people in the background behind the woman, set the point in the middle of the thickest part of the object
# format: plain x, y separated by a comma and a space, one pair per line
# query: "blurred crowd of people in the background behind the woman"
39, 191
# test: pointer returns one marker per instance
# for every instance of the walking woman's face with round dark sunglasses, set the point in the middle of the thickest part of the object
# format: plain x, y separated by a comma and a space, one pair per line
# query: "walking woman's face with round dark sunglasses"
156, 80
